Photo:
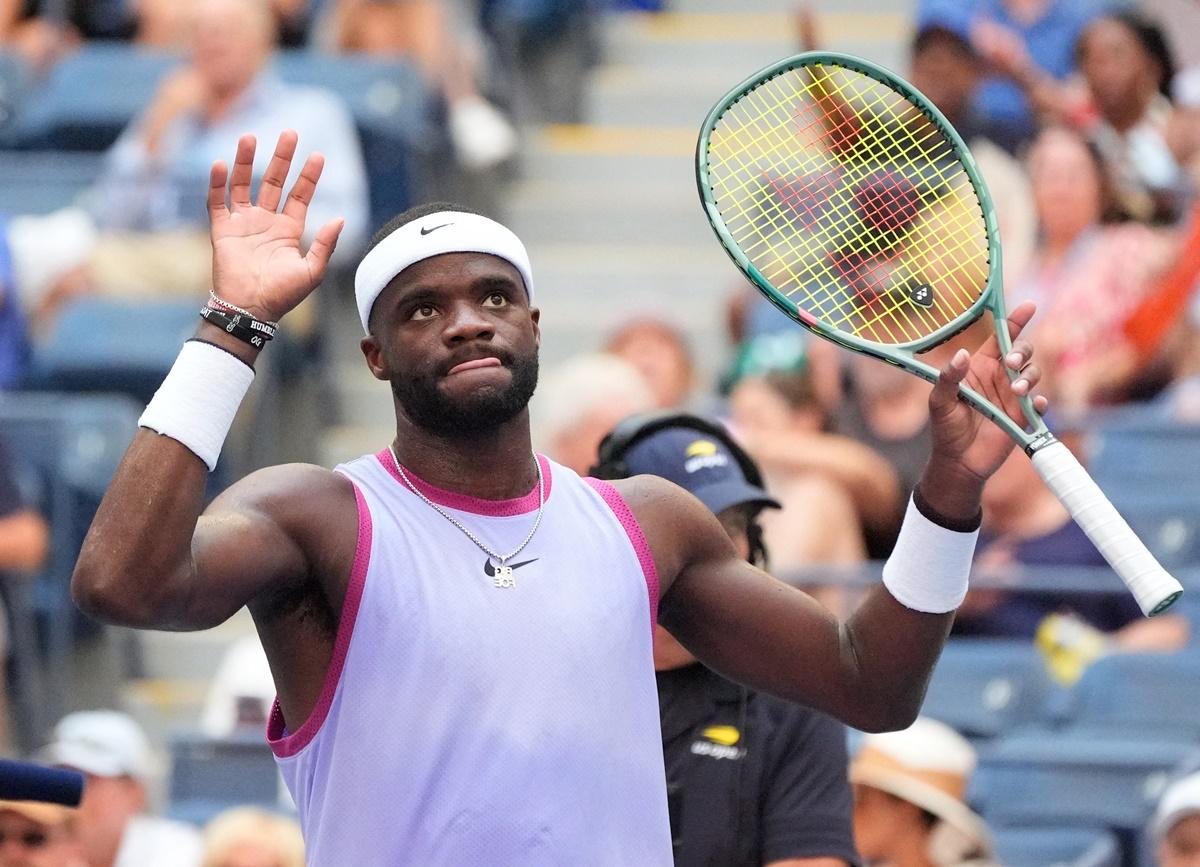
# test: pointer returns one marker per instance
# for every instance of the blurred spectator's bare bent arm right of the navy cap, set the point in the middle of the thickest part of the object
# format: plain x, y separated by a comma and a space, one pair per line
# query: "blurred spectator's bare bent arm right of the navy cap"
869, 479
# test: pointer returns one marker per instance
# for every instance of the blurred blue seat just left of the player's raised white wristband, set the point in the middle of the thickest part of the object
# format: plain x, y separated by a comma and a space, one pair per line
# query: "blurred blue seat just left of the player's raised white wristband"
105, 345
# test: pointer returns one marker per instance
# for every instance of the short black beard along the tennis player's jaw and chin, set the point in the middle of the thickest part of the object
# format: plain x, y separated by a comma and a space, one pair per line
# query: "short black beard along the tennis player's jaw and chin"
479, 412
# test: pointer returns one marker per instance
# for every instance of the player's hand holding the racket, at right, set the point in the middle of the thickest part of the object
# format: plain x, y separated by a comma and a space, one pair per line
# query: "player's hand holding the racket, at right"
963, 438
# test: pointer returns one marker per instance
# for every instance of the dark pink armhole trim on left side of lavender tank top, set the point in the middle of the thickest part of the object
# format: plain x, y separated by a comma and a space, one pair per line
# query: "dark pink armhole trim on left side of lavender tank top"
285, 744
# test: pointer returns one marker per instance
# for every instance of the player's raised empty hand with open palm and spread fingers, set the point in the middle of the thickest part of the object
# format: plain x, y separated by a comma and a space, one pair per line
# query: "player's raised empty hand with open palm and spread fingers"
257, 264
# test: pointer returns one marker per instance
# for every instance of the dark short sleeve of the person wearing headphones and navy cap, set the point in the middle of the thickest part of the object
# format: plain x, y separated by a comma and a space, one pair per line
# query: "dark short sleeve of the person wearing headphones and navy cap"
807, 804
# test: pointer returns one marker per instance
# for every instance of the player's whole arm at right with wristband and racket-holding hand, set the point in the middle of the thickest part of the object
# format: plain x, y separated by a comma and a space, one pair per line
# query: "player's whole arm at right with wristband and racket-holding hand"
871, 672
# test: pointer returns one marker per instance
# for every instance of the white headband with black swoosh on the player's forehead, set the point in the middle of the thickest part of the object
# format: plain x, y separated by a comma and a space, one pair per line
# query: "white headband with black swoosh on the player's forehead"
445, 232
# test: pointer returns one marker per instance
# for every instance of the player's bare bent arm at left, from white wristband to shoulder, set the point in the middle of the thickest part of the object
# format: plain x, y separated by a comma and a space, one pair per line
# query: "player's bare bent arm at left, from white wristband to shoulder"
152, 560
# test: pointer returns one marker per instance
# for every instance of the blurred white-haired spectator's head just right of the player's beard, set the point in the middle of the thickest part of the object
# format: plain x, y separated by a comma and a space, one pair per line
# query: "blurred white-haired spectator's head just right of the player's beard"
581, 400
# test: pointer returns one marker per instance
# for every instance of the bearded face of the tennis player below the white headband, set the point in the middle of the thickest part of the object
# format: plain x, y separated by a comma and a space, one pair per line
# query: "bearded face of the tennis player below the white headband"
458, 340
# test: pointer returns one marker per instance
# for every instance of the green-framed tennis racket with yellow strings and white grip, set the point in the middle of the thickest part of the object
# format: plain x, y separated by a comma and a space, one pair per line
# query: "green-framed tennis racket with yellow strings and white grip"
854, 206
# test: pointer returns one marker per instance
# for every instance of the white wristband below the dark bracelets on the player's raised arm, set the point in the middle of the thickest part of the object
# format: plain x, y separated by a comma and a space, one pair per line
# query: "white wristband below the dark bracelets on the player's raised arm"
199, 399
